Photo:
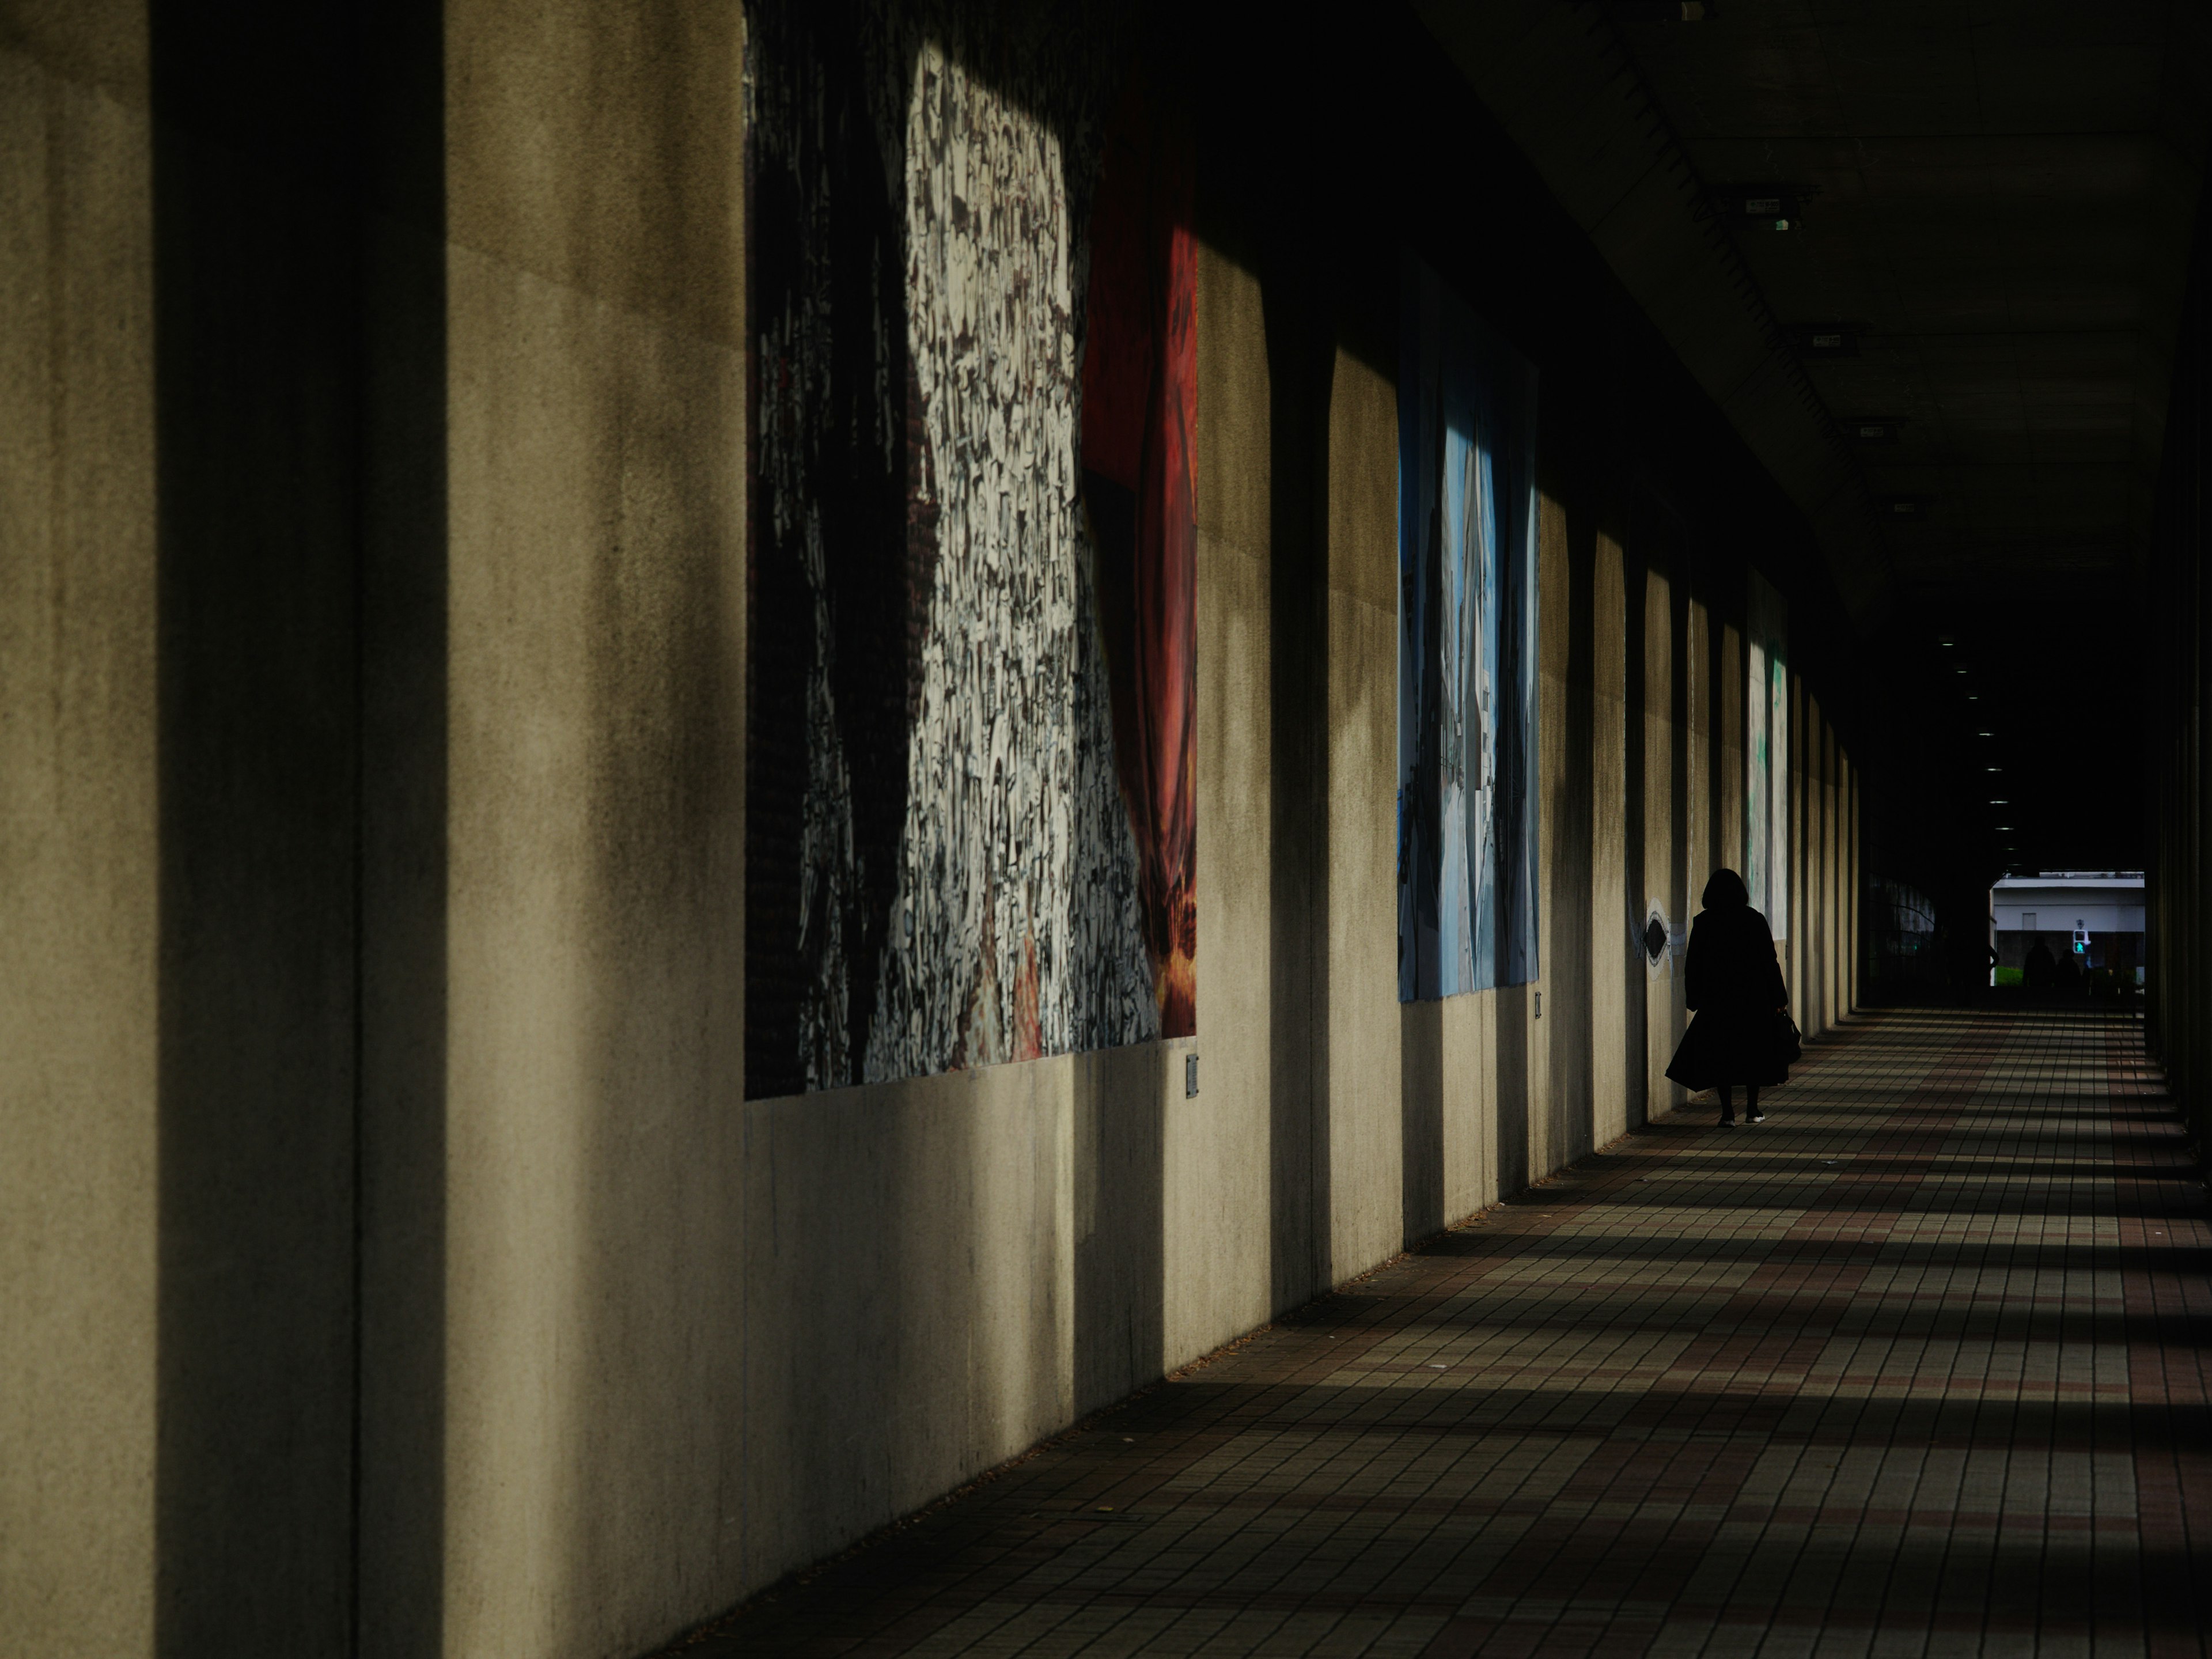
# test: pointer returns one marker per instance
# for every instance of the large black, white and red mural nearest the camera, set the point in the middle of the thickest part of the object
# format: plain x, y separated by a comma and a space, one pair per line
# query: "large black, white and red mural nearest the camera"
972, 665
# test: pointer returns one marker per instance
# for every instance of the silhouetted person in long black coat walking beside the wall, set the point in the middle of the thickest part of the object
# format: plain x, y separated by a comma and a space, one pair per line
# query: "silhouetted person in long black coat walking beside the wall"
1740, 999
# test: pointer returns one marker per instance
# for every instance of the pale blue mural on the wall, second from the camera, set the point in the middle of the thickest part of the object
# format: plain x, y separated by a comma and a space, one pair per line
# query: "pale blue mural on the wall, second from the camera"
1468, 645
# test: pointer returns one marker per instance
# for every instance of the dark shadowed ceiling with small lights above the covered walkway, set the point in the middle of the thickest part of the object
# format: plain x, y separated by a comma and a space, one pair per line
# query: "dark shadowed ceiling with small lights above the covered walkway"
1992, 205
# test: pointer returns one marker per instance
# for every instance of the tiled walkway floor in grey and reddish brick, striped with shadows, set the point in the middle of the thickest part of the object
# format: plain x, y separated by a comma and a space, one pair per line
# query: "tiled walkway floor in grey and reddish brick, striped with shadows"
1914, 1368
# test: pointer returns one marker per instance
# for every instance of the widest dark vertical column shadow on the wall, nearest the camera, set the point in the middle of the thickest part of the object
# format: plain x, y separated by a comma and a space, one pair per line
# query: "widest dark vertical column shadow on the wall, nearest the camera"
267, 404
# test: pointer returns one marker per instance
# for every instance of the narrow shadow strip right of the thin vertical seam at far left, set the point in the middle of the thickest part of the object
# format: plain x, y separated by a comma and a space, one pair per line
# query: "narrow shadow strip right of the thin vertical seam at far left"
404, 846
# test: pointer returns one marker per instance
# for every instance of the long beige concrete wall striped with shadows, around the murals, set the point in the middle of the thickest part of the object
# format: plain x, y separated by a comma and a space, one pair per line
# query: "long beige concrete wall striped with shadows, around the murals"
388, 1255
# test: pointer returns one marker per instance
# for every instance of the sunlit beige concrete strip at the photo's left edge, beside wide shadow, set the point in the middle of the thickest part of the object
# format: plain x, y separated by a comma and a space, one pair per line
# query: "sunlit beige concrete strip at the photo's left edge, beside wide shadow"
79, 835
